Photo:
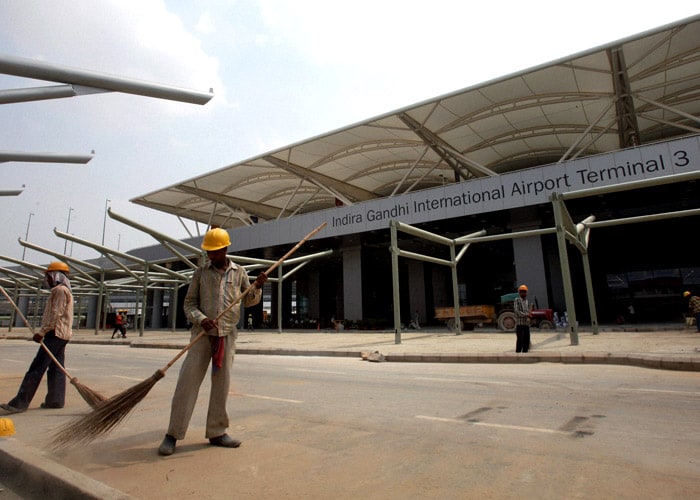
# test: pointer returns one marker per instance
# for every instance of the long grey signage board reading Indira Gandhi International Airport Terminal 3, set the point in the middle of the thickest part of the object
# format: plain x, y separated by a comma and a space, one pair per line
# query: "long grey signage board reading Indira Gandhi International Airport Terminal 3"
526, 187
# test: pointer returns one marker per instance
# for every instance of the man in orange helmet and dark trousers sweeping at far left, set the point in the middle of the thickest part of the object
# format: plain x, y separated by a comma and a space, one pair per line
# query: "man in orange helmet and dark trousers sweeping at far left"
55, 332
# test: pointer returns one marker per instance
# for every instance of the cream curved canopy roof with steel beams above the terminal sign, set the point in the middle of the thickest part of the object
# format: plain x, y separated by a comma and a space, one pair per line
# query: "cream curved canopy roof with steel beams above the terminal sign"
634, 91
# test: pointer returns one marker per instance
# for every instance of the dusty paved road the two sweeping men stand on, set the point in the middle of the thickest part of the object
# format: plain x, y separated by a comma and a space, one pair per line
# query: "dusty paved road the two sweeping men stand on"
318, 427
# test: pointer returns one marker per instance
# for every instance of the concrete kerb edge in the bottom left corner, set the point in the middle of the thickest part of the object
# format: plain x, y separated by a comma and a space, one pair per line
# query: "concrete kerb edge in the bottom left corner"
22, 464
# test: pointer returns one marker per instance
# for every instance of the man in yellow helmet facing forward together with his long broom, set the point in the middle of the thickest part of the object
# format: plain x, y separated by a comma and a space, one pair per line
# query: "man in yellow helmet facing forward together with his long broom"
217, 287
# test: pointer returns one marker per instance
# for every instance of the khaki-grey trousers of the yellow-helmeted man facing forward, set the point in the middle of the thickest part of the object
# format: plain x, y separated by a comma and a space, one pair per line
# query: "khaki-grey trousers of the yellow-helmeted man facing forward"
194, 367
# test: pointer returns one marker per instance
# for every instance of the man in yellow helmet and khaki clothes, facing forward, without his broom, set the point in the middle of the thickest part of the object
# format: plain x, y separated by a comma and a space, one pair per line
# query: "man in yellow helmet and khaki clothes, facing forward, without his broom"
215, 285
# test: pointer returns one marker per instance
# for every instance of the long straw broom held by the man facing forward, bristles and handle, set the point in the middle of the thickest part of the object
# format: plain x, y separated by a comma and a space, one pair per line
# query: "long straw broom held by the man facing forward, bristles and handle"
110, 413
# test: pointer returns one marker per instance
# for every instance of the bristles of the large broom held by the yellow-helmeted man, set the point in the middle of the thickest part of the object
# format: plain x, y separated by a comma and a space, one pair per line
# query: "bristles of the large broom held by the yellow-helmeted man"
105, 416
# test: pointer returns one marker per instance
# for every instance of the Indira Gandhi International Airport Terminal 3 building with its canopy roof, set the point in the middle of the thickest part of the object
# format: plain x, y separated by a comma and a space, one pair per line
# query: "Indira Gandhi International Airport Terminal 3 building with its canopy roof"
469, 194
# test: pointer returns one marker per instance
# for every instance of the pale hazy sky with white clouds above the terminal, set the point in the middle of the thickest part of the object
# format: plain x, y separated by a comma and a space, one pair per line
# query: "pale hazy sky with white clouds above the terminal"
281, 71
